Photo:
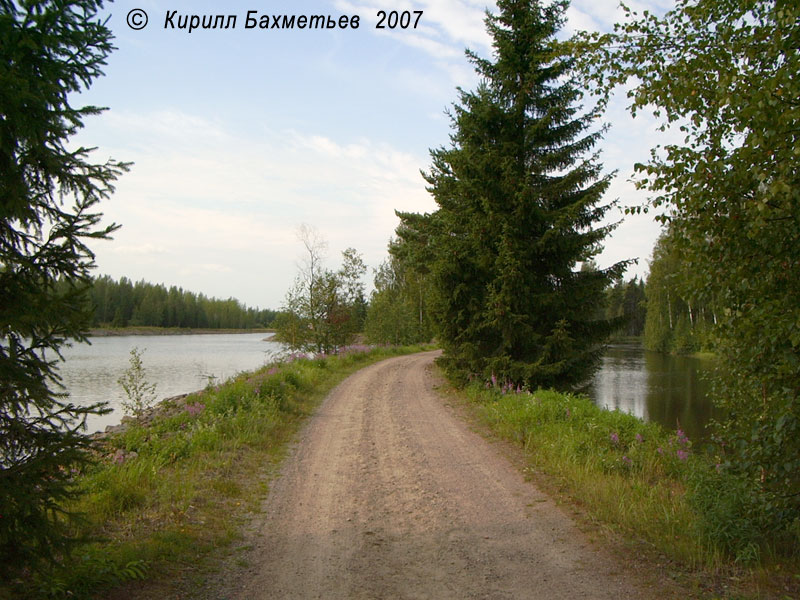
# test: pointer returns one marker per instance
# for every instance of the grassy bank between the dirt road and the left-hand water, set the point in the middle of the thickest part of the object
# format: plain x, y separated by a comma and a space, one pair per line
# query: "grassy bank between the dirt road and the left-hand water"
166, 499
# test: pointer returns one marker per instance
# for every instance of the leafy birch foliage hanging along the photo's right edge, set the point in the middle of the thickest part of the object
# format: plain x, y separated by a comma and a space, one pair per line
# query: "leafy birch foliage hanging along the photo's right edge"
725, 72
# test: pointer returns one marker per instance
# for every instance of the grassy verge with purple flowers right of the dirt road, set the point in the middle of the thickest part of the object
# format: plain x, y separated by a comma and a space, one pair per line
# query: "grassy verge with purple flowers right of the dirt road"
648, 484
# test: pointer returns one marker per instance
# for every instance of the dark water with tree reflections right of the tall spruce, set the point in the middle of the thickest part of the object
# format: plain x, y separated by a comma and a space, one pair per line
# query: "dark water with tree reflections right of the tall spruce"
670, 390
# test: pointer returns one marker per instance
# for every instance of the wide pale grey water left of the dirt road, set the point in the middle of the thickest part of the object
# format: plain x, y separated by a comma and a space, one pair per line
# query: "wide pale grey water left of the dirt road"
177, 364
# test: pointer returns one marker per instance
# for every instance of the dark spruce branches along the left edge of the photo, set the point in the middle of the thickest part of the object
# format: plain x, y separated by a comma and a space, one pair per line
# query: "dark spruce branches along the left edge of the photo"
48, 50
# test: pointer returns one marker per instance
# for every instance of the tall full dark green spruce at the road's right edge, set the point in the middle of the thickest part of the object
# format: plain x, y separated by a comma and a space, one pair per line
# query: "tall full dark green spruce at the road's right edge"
519, 197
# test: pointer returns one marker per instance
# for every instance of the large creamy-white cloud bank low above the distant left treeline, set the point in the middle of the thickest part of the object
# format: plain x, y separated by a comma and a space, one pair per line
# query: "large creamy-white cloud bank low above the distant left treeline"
204, 207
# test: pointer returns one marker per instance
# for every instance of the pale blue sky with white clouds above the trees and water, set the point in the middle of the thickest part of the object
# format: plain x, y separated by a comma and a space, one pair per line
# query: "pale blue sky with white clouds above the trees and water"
240, 136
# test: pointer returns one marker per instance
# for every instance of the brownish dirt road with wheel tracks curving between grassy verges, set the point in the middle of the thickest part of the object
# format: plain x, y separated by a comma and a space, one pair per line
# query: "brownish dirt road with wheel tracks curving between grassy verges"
388, 495
